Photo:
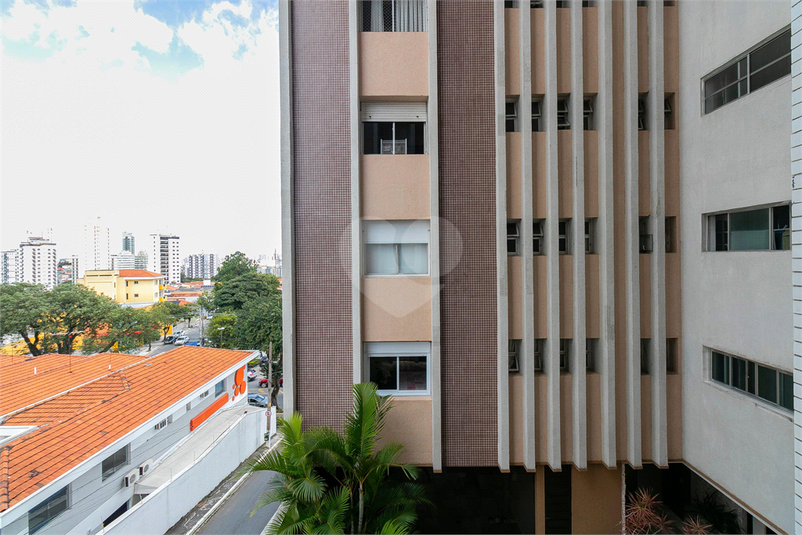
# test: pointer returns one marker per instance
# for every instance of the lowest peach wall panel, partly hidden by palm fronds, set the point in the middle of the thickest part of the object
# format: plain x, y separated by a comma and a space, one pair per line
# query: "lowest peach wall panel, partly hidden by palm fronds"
410, 423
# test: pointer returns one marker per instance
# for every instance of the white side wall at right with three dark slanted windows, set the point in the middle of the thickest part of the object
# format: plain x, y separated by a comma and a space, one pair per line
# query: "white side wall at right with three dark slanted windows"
739, 302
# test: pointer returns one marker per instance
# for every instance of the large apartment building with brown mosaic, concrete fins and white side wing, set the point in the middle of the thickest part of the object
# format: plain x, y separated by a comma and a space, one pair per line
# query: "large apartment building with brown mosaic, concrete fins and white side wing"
484, 213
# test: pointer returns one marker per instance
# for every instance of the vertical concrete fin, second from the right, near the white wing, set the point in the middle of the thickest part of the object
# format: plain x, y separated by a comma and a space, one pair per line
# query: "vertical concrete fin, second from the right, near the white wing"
632, 277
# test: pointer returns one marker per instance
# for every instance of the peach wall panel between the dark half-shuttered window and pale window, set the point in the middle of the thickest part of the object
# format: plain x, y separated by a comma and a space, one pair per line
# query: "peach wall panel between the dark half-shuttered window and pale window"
395, 186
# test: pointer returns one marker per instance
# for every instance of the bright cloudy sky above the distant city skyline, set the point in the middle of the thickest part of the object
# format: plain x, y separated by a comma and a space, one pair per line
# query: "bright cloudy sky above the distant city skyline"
154, 115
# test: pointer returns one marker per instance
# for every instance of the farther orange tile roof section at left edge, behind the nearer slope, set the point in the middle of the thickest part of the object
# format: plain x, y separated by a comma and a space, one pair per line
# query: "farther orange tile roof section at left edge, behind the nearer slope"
27, 382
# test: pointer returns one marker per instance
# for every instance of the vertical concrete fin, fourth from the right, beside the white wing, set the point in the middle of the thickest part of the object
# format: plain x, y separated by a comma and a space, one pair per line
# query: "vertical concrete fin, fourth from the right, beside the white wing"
578, 365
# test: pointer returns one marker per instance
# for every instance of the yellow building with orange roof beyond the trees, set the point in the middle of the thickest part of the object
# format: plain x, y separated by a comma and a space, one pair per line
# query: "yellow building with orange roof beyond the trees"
132, 287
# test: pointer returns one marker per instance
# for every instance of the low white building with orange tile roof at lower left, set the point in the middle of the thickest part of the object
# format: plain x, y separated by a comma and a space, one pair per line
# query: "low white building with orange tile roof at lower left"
123, 443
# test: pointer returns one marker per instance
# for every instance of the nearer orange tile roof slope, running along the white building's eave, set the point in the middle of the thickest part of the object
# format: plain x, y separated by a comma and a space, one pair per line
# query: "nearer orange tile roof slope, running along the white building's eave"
79, 424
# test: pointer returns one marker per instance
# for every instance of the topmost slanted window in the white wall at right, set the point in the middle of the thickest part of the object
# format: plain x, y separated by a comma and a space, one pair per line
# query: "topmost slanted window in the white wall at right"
756, 68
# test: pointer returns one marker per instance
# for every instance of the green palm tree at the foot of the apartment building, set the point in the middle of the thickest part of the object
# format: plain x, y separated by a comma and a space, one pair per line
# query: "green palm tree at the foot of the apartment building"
328, 482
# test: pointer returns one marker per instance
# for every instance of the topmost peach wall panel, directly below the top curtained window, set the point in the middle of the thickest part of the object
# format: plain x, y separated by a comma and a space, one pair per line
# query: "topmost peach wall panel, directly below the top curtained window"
394, 64
